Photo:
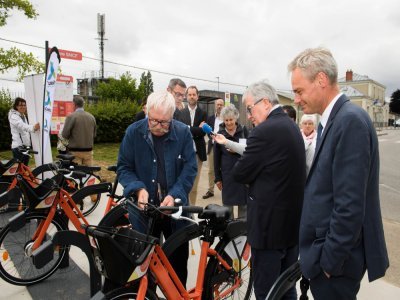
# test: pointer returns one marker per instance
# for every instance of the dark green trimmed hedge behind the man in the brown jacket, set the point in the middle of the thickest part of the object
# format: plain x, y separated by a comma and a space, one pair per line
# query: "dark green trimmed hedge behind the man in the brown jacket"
112, 119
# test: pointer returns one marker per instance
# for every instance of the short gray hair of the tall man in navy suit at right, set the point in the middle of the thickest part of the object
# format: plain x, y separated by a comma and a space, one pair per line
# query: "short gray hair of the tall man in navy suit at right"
314, 60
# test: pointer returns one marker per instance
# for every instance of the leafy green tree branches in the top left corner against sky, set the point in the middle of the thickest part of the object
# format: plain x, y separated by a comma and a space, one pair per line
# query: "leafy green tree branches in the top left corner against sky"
14, 57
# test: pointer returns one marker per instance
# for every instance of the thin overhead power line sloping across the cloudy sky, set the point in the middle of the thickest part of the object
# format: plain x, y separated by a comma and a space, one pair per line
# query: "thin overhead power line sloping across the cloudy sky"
139, 68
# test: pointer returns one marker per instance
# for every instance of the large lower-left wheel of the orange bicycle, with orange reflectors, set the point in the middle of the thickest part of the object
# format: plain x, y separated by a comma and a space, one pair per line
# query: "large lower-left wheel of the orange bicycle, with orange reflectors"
16, 265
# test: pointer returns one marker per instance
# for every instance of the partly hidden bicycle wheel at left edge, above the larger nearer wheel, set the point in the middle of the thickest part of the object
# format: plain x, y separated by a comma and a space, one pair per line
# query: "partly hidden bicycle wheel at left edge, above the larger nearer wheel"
9, 209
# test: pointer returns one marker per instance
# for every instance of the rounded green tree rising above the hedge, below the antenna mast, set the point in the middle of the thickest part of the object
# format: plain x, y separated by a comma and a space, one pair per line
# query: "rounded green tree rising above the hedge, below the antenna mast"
123, 89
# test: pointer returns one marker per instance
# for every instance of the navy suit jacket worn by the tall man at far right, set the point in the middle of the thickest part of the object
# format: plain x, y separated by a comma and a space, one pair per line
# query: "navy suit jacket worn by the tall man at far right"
341, 226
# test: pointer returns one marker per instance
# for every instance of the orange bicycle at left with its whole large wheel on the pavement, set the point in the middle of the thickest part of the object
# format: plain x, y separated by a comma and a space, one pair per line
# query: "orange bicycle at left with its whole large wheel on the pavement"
49, 208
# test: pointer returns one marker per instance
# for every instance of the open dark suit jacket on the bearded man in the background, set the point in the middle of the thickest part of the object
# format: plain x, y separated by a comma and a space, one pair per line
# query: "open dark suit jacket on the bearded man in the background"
197, 133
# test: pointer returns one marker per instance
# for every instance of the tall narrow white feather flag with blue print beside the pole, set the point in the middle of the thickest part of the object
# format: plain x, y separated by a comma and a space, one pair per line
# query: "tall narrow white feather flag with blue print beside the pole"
48, 100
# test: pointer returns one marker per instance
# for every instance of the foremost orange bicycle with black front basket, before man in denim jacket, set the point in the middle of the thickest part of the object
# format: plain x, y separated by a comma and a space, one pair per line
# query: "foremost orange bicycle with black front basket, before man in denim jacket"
132, 260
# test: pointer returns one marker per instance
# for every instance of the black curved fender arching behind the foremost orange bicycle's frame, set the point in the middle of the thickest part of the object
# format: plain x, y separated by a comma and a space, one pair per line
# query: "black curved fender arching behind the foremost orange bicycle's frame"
181, 236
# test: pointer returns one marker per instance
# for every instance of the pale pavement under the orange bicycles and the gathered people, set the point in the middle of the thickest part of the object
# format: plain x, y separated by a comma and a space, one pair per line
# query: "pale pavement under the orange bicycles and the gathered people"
379, 289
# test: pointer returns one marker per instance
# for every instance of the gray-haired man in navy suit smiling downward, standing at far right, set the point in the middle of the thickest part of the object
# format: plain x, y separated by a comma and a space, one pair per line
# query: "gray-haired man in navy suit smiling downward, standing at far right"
341, 232
